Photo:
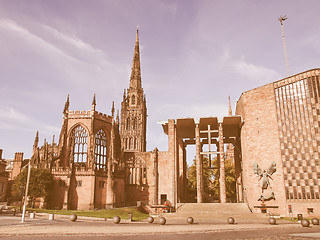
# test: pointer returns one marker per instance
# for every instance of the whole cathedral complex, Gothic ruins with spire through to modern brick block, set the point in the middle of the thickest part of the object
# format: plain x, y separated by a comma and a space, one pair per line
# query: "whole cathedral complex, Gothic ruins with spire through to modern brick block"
101, 160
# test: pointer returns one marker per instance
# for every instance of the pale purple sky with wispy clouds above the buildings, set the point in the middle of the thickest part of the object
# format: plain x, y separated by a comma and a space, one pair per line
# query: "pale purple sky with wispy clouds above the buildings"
194, 54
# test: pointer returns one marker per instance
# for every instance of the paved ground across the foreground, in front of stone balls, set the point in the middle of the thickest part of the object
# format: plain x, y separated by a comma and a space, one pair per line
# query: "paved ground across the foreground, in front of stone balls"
91, 228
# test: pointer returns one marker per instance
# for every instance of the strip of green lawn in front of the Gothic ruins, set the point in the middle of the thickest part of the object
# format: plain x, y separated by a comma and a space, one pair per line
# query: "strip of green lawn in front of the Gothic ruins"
121, 212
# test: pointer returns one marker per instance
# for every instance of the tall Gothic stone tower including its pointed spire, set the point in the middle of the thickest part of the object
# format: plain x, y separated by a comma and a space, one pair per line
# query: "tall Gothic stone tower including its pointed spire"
134, 110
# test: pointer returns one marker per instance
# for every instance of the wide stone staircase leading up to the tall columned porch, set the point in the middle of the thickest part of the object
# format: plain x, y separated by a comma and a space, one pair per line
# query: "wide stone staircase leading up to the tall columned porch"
214, 213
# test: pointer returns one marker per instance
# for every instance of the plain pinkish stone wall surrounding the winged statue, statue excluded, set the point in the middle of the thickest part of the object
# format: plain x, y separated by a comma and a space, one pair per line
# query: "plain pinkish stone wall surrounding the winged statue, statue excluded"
260, 144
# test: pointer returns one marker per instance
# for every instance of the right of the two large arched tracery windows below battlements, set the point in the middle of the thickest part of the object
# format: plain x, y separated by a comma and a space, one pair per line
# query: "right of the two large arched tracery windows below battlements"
100, 150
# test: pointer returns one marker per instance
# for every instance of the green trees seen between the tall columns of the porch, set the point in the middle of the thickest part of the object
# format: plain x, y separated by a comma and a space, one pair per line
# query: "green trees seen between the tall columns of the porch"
211, 179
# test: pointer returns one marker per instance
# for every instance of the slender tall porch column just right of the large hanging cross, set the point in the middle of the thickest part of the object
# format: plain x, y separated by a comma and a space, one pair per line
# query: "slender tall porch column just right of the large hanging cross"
222, 179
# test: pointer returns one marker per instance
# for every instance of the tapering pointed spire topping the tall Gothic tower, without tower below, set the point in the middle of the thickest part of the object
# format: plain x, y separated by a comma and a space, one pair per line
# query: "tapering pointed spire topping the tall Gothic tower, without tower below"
135, 79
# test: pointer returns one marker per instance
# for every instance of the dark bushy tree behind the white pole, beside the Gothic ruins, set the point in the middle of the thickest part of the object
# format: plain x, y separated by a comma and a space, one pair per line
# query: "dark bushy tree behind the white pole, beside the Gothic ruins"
41, 181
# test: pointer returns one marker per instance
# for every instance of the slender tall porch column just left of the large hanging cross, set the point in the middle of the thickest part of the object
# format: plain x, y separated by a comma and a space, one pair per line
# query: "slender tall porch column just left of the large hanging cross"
199, 166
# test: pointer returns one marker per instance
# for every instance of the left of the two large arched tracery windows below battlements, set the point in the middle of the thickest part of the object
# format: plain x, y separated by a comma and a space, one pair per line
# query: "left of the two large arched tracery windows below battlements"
80, 136
